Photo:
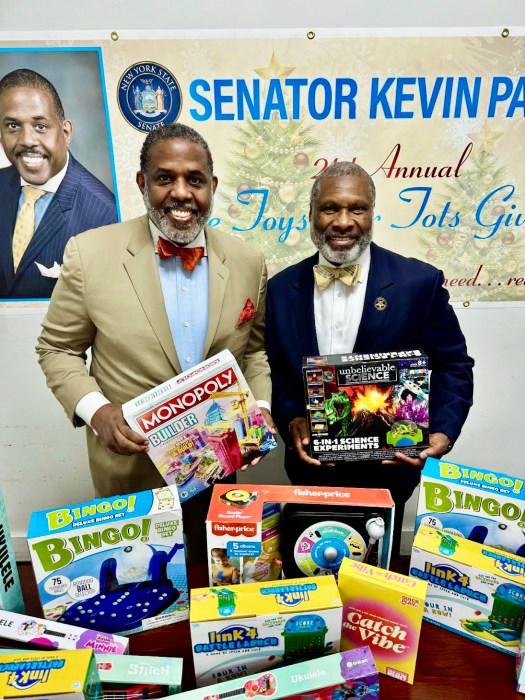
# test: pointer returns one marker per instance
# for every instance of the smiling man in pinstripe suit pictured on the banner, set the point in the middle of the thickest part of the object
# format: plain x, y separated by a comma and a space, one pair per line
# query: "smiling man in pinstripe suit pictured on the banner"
35, 137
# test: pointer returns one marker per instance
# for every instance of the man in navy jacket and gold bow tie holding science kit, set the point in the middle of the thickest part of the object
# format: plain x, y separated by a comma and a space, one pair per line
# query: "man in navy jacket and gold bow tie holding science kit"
397, 303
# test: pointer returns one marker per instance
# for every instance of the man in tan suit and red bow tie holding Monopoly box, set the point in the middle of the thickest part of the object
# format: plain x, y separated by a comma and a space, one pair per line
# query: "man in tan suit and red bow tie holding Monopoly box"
145, 316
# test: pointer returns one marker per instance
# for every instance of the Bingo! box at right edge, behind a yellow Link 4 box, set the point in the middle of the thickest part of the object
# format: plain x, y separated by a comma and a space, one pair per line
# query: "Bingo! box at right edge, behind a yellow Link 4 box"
482, 505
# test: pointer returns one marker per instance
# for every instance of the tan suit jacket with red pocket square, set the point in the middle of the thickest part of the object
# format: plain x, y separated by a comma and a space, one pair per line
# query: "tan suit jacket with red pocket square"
109, 298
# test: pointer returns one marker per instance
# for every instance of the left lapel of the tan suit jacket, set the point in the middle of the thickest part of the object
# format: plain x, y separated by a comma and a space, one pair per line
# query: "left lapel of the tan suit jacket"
144, 276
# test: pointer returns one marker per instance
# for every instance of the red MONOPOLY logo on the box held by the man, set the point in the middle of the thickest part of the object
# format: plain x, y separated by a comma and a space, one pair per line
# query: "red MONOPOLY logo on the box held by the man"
151, 420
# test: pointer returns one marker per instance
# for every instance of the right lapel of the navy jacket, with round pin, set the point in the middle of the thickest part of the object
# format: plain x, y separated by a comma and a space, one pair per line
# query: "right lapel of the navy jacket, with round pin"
377, 310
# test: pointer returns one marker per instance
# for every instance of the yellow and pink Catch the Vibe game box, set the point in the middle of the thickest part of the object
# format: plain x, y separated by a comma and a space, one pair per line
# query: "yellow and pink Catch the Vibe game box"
384, 610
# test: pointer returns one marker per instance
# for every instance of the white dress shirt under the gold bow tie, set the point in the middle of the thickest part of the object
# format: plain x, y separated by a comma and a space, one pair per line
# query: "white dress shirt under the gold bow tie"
338, 310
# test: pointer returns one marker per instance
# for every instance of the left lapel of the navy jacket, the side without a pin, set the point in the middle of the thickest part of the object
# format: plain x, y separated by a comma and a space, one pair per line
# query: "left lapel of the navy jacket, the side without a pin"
303, 313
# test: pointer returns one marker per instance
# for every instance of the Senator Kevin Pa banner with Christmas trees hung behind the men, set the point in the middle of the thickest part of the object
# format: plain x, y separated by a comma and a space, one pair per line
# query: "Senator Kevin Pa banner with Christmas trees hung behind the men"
438, 121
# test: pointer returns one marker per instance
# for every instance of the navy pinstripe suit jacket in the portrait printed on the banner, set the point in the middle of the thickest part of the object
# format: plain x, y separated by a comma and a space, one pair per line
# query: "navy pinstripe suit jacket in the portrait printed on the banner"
81, 202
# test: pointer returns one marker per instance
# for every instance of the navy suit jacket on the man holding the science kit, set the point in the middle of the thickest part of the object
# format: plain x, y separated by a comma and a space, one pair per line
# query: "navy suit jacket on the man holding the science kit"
417, 315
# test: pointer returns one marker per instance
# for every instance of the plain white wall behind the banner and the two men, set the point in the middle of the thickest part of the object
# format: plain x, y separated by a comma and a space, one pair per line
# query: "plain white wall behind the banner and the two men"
42, 458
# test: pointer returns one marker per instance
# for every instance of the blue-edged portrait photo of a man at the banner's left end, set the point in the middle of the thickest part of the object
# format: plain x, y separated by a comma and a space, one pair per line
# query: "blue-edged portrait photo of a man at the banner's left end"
56, 170
